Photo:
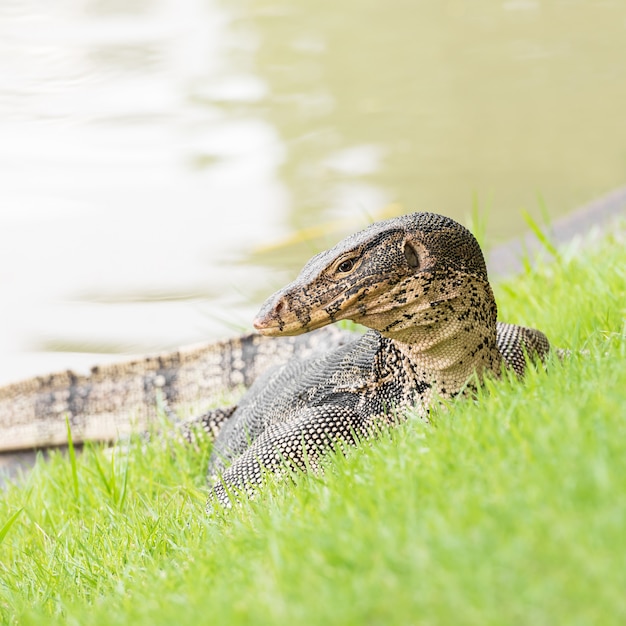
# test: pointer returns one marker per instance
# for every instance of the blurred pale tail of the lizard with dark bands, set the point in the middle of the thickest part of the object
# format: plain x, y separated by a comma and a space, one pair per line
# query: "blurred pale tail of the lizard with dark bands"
120, 398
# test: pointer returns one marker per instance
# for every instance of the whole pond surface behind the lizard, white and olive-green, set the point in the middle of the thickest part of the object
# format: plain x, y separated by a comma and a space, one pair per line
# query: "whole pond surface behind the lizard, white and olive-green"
165, 165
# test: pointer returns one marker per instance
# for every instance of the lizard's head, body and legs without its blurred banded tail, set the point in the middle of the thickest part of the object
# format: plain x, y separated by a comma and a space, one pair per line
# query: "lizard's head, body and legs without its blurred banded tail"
419, 283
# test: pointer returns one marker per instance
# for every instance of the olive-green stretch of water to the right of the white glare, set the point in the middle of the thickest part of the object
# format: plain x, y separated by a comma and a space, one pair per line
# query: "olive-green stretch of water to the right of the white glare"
505, 100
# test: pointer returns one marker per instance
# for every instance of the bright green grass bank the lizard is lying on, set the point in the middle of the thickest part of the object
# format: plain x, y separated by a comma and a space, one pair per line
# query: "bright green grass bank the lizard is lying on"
507, 510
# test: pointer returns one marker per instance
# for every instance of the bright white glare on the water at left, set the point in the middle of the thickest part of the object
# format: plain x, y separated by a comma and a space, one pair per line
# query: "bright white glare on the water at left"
129, 192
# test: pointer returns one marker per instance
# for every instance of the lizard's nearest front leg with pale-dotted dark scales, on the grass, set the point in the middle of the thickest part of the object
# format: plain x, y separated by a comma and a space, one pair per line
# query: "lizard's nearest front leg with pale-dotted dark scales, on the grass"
296, 444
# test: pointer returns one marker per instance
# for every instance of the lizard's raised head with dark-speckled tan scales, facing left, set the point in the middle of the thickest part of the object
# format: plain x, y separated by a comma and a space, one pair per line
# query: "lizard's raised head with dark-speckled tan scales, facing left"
393, 276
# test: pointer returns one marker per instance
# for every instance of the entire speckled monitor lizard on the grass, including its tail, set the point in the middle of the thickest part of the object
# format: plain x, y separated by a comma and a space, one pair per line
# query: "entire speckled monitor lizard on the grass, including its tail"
419, 282
